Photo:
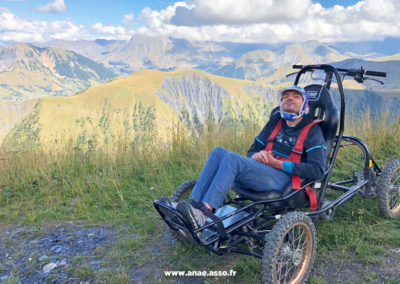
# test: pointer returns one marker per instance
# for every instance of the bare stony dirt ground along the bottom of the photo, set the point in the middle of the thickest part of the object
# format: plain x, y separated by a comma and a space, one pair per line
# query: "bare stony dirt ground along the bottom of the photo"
75, 253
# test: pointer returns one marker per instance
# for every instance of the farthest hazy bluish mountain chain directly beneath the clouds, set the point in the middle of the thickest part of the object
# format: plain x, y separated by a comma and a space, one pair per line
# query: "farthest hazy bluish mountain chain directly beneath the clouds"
166, 53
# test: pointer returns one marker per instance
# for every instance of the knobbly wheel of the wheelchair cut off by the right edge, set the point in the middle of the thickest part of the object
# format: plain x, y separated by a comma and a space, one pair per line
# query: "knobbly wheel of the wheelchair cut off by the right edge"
389, 191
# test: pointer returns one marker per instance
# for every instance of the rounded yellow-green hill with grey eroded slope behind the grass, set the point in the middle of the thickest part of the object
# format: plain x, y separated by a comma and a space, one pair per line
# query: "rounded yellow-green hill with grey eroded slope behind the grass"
146, 105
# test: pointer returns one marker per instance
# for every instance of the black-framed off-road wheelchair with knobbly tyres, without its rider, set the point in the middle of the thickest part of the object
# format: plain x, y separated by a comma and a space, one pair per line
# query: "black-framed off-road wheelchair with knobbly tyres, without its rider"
277, 226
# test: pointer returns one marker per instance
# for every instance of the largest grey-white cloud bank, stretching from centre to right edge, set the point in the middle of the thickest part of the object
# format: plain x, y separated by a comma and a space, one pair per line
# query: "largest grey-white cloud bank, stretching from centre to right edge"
274, 21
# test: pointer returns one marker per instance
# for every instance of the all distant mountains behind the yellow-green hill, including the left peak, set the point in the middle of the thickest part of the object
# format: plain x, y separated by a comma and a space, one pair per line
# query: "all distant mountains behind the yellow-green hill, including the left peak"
62, 67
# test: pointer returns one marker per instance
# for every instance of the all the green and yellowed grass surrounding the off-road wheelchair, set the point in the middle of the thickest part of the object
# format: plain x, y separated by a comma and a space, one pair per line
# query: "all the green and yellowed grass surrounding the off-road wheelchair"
118, 187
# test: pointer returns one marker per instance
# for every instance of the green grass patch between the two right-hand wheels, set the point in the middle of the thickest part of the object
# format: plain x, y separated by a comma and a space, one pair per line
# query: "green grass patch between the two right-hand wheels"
358, 228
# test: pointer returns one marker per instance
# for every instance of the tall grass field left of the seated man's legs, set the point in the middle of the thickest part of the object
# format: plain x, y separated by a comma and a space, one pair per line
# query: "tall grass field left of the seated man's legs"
115, 187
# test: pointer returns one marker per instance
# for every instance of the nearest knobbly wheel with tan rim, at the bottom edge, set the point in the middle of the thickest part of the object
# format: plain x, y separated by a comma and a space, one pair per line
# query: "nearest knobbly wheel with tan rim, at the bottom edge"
289, 250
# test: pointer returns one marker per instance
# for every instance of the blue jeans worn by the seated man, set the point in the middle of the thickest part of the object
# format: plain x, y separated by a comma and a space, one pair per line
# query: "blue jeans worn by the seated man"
225, 170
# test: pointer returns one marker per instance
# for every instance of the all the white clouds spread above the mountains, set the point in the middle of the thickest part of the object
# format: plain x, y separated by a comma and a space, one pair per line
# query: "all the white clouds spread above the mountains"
267, 21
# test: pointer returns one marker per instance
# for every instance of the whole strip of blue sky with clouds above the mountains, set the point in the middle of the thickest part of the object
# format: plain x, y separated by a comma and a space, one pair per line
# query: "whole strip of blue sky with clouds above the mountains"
219, 20
